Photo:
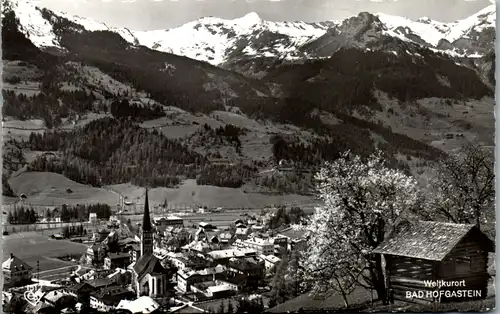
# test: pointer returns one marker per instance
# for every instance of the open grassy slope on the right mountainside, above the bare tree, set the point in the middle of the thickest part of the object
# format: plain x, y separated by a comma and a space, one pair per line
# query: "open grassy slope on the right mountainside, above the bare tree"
428, 120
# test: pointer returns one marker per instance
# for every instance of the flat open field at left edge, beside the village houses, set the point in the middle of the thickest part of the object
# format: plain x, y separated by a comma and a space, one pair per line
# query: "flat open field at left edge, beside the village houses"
32, 247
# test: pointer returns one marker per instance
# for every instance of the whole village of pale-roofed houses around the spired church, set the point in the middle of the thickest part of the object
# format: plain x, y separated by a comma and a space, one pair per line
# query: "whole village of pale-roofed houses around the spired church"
163, 265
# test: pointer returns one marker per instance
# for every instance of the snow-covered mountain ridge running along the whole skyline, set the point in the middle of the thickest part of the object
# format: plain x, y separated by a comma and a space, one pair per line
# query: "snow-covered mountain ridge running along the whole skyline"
222, 41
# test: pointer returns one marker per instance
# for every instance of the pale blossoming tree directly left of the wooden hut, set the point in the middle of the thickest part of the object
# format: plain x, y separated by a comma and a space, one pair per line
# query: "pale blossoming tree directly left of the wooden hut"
363, 200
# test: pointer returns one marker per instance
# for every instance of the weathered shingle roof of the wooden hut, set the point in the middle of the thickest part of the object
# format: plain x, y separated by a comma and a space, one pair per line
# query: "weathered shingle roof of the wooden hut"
427, 240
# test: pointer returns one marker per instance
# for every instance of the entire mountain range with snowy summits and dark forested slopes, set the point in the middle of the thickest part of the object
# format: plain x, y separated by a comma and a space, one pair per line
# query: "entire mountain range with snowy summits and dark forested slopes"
240, 95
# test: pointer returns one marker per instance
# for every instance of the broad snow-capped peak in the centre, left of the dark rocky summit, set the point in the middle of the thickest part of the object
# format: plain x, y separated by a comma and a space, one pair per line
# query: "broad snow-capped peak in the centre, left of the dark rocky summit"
213, 39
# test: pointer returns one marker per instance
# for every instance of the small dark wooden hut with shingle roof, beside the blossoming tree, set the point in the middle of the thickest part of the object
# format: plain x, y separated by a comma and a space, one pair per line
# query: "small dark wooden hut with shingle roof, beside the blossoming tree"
422, 258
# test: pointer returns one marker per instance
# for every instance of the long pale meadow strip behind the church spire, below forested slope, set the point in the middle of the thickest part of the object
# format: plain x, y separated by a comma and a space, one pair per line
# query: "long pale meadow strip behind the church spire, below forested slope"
49, 189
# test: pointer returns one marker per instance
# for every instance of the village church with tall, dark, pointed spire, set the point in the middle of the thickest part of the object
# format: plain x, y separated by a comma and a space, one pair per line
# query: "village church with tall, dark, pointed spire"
149, 277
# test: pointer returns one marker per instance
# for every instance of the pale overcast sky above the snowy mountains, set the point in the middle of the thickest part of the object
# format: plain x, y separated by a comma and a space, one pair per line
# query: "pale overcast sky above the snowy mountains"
161, 14
